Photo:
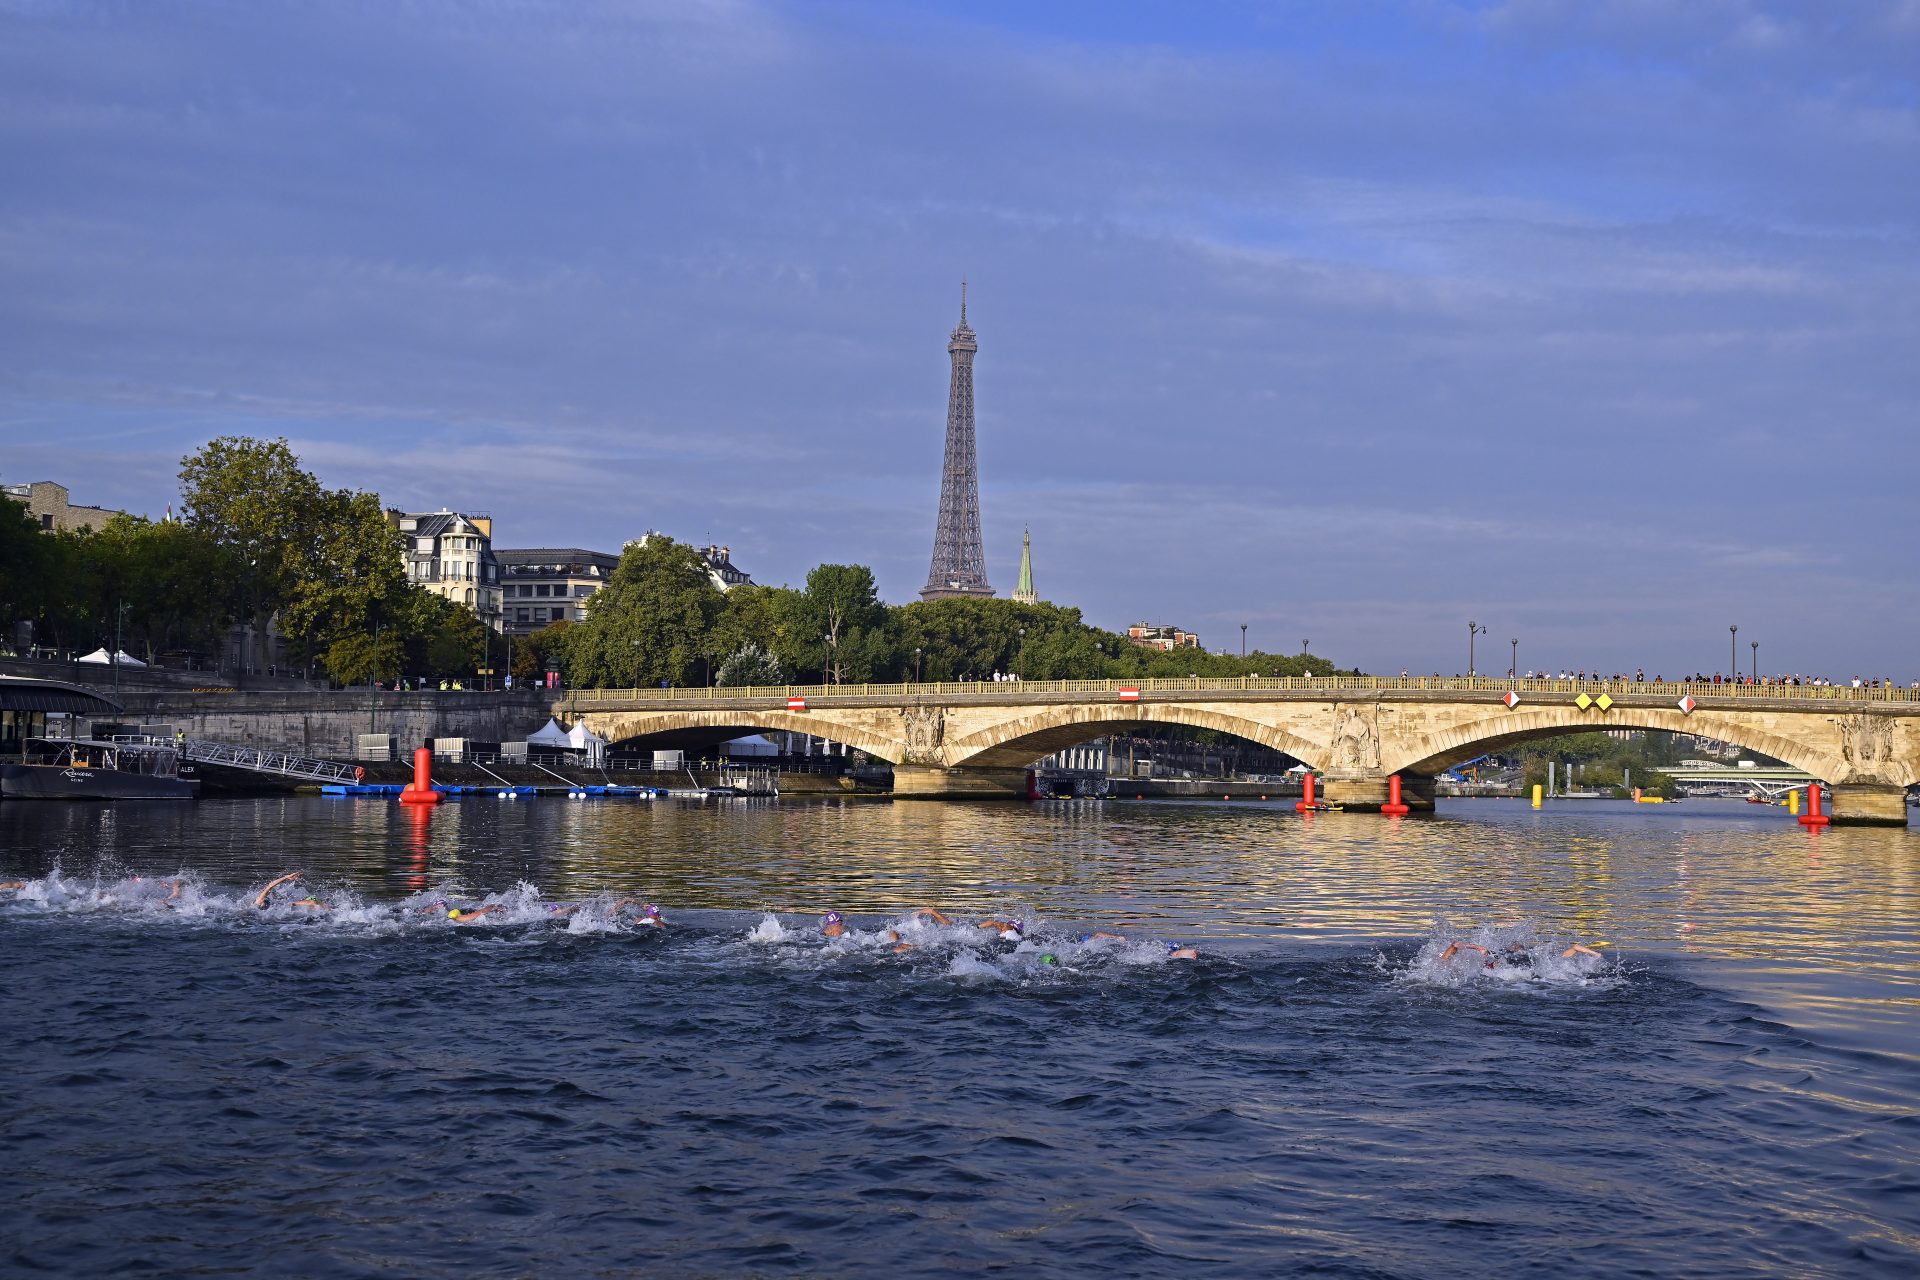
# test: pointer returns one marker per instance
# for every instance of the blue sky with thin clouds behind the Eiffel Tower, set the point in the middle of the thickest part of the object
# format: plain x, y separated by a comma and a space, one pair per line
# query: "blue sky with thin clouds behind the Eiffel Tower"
1353, 321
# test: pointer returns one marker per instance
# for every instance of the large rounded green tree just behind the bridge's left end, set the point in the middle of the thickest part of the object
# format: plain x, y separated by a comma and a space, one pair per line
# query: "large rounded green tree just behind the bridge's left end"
650, 623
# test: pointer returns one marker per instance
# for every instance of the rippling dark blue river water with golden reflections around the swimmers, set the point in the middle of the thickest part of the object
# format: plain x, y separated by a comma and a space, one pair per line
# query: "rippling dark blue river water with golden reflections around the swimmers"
197, 1087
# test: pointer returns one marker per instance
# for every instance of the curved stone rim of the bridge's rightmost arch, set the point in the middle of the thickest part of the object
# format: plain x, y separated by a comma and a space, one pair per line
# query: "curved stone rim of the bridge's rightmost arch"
1458, 744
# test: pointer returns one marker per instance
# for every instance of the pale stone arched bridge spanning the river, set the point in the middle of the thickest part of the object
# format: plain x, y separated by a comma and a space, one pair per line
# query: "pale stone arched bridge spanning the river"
978, 740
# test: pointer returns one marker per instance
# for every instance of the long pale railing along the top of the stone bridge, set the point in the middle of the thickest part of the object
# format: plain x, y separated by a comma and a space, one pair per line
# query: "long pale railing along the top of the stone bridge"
1493, 686
